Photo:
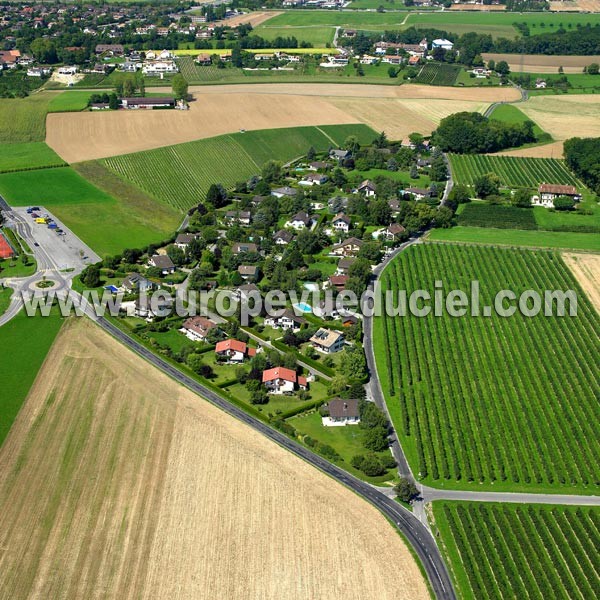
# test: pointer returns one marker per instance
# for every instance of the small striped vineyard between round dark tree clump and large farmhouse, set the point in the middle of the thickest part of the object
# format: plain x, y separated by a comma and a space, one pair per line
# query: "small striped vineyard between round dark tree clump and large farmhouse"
513, 171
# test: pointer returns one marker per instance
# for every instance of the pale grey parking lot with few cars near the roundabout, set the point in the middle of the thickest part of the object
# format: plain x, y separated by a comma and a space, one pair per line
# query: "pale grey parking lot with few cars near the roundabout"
65, 250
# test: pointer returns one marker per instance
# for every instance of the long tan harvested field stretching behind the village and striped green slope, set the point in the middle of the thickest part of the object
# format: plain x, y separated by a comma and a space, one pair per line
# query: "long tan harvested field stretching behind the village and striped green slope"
225, 109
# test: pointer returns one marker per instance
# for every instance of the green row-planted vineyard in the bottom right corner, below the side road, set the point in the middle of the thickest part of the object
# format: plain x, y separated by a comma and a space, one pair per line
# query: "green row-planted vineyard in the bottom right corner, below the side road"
518, 551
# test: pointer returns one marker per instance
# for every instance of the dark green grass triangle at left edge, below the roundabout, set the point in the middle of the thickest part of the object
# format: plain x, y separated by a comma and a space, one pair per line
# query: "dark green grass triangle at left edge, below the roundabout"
25, 342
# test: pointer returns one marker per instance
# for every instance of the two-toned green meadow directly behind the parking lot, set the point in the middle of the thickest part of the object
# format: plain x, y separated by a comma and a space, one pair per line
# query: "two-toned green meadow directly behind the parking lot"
106, 224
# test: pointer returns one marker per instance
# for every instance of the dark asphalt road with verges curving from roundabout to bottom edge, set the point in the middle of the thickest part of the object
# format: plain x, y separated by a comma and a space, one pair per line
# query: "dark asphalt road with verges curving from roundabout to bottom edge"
414, 531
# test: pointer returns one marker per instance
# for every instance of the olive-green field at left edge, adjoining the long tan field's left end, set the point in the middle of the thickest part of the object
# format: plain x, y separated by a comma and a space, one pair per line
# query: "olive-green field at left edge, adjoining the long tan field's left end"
24, 119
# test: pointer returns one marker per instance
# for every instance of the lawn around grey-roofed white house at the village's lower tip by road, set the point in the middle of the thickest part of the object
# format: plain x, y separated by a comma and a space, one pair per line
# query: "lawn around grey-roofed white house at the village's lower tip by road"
347, 441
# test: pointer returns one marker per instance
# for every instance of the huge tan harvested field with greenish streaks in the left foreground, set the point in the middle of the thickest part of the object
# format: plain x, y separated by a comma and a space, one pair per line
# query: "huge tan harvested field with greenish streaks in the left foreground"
115, 482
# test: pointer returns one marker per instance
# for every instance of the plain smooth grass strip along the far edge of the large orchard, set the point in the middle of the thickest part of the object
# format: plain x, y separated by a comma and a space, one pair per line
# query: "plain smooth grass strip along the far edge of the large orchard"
516, 237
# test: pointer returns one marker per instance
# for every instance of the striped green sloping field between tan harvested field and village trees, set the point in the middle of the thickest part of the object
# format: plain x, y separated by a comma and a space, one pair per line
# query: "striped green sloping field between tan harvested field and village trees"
180, 175
